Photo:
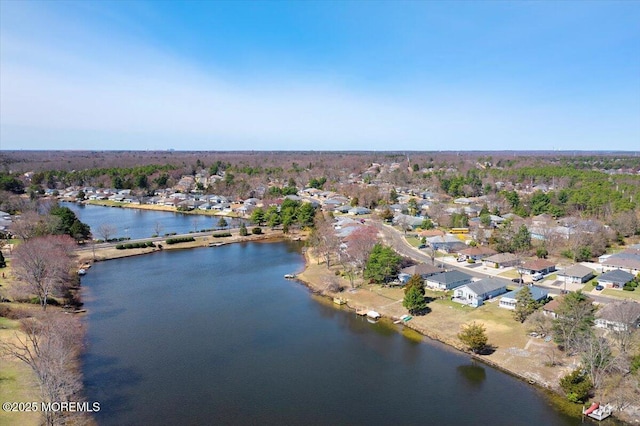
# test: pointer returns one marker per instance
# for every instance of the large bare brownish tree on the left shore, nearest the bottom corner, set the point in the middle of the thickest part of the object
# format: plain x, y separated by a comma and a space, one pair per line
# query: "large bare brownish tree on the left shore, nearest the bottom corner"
49, 344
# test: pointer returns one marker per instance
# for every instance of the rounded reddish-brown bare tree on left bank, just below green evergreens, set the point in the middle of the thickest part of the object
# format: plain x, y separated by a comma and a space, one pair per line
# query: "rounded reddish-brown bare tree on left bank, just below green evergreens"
43, 264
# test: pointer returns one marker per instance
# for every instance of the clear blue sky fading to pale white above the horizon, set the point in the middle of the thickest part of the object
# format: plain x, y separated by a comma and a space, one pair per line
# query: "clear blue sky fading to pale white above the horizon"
331, 75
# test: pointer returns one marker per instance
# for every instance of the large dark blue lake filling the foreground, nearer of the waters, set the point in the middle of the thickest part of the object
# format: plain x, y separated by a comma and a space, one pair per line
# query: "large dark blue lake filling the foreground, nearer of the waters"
218, 336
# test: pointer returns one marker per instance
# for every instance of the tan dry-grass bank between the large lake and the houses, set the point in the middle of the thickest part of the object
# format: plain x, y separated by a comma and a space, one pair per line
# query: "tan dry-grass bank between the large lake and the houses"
512, 350
